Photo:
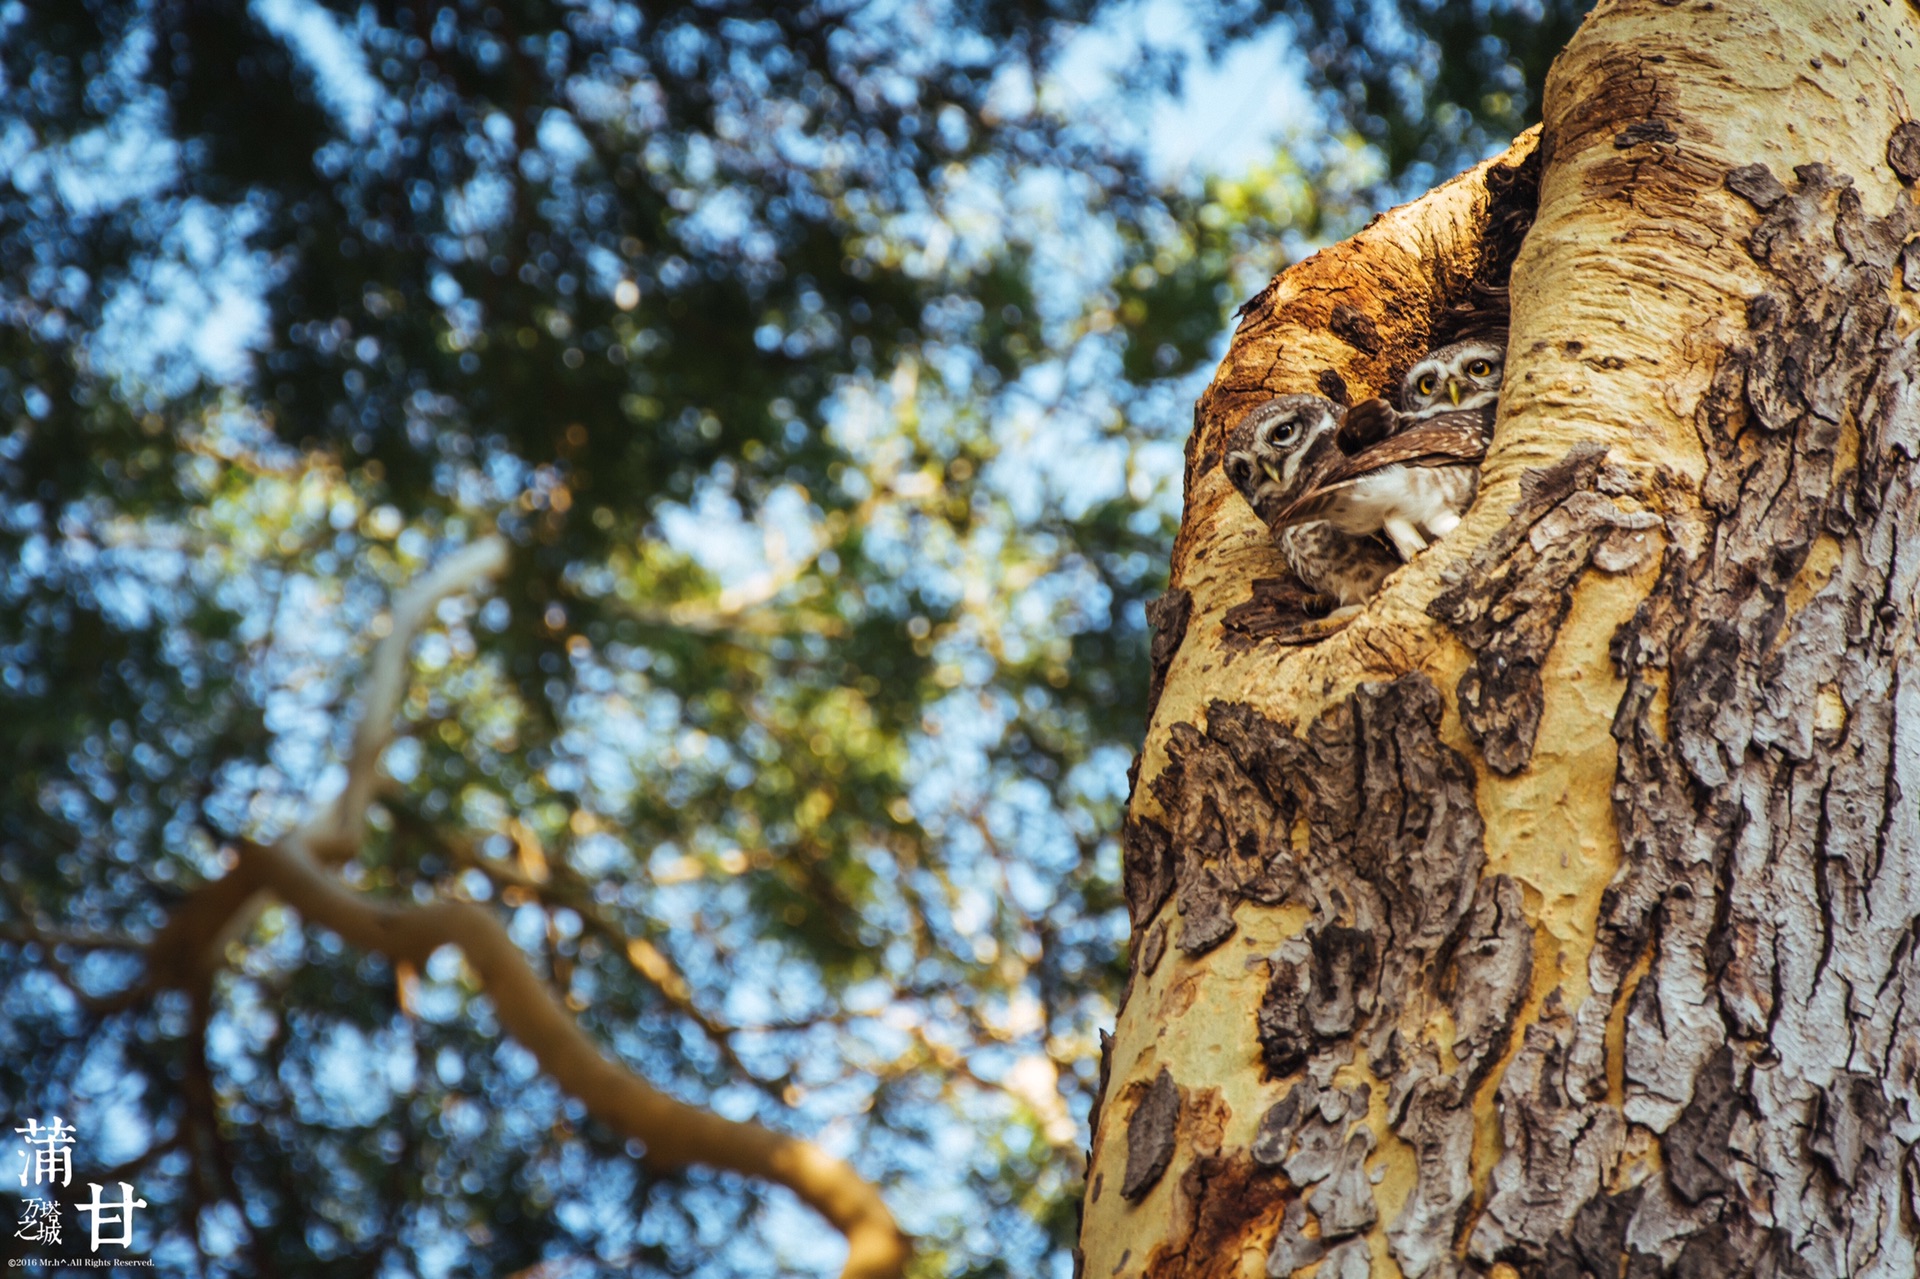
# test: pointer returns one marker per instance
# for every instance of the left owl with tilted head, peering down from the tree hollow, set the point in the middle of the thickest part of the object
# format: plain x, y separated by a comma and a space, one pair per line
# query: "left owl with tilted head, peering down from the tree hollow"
1280, 452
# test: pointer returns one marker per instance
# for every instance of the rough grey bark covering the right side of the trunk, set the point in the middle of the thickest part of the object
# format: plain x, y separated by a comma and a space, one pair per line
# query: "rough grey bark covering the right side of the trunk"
1765, 798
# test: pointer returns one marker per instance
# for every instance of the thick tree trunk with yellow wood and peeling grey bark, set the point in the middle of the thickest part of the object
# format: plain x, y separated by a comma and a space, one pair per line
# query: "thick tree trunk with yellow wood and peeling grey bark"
1558, 915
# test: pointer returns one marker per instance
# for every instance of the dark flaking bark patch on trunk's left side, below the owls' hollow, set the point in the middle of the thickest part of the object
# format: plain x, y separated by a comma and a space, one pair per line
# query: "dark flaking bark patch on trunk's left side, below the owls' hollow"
1406, 923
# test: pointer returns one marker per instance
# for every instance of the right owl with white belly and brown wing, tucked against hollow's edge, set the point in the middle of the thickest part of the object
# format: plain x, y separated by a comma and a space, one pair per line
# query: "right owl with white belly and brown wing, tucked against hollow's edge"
1410, 473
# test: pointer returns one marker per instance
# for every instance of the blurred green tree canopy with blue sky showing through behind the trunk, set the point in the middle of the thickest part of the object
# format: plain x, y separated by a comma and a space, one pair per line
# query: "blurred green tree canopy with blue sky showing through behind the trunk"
828, 375
